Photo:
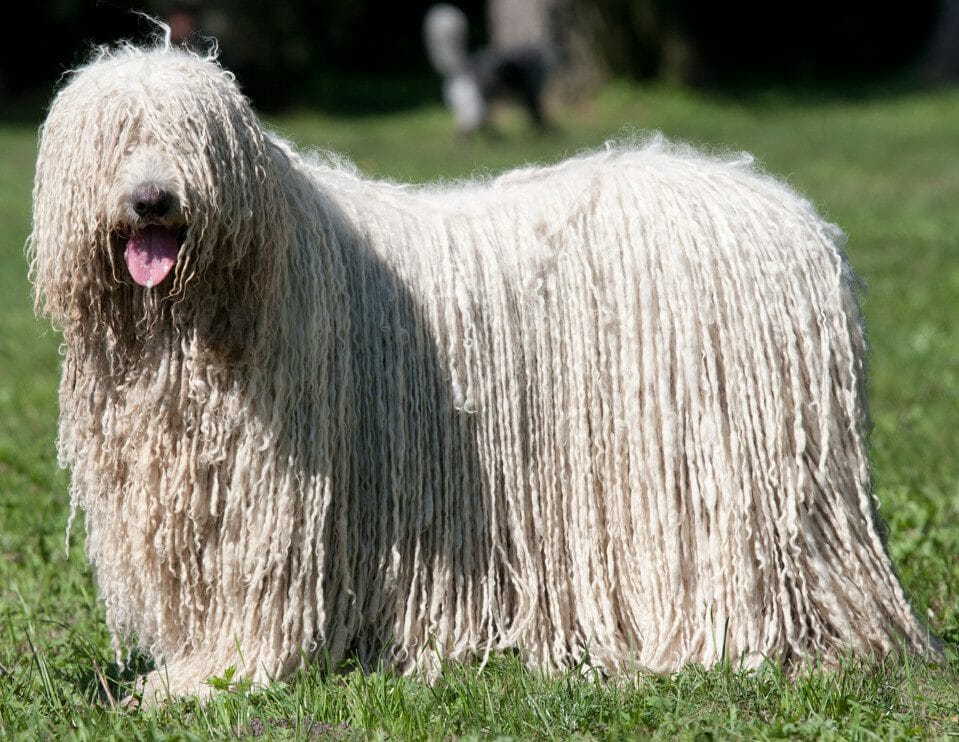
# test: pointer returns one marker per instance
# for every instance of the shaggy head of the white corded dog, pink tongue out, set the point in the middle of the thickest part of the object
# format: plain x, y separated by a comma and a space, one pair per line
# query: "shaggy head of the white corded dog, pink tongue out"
156, 196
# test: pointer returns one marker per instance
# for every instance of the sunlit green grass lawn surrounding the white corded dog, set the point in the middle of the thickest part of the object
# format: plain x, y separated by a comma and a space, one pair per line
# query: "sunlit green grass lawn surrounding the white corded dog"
883, 166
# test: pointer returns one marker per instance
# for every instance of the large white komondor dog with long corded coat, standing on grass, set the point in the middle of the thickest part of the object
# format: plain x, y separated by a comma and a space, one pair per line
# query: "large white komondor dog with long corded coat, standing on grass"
606, 412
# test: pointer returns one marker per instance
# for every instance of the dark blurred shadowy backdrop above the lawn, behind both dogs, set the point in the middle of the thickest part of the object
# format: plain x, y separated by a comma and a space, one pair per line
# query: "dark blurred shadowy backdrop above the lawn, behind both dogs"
350, 55
